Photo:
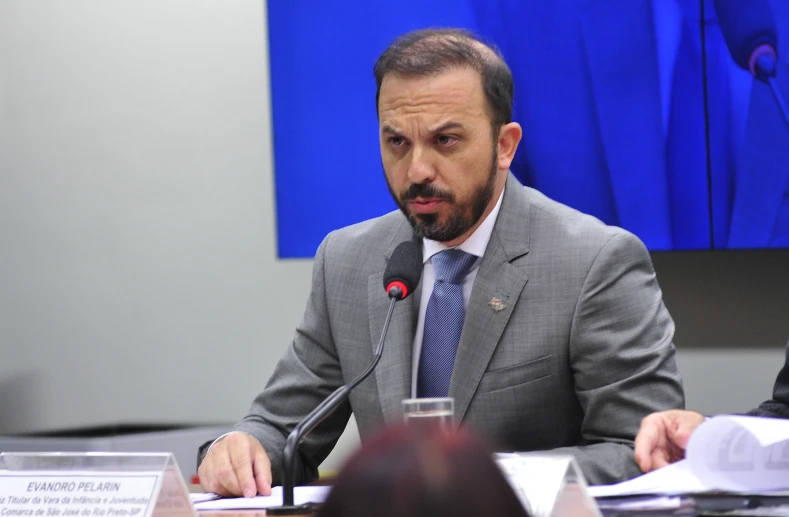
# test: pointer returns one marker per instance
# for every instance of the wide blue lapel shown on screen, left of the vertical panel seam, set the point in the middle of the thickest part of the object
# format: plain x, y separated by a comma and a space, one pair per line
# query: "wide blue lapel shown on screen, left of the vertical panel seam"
622, 57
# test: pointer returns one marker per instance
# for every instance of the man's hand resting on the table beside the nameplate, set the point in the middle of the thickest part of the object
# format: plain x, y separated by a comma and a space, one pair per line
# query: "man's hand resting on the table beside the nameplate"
236, 465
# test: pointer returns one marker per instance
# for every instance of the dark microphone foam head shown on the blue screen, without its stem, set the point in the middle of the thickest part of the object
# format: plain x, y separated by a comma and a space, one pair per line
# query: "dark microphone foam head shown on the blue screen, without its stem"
746, 24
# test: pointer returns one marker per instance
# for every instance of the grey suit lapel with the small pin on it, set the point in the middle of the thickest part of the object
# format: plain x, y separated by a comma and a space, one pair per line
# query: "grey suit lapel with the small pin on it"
496, 289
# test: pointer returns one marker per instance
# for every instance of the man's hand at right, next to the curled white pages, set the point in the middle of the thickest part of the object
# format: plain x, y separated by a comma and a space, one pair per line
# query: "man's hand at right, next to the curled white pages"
663, 437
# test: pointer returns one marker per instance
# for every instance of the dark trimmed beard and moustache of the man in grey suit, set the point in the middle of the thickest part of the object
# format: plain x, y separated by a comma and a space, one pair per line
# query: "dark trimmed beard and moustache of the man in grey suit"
461, 217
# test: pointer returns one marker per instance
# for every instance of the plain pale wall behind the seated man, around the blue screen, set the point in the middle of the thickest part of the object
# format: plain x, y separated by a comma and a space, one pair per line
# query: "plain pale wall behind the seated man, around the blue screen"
138, 271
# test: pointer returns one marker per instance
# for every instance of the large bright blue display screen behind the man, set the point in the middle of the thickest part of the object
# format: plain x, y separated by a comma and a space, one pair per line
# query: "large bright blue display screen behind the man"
633, 111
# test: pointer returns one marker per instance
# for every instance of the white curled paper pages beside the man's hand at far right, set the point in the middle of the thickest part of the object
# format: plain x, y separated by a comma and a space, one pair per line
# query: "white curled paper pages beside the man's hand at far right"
738, 454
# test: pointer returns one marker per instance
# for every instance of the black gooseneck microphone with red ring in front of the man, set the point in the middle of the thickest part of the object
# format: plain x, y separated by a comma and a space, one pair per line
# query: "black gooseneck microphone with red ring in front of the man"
401, 277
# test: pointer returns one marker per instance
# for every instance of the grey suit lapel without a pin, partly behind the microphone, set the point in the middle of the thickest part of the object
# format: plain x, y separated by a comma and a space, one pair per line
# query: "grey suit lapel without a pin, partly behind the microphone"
393, 373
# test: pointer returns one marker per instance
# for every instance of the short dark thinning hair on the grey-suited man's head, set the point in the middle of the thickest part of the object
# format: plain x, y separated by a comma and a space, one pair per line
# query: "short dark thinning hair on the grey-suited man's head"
427, 52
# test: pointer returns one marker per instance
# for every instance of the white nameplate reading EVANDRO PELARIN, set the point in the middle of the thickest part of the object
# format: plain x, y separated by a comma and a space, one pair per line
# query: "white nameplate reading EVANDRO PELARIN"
75, 494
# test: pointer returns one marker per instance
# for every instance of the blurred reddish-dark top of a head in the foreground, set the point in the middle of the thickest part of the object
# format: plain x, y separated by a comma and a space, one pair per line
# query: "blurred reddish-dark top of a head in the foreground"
412, 472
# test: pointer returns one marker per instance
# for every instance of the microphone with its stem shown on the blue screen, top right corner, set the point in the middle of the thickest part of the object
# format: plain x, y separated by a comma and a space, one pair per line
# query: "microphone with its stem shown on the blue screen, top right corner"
749, 30
